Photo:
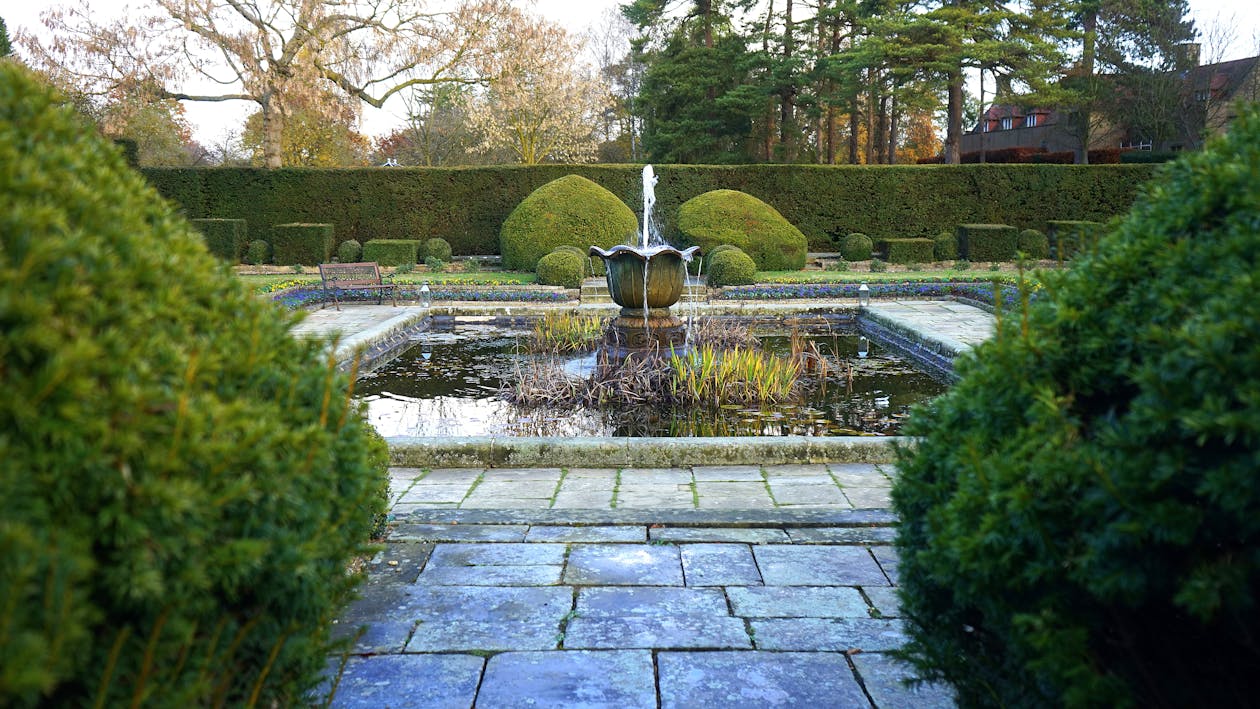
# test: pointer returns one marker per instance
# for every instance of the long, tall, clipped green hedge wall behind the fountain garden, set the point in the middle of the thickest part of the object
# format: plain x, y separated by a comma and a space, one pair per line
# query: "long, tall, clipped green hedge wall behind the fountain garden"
468, 206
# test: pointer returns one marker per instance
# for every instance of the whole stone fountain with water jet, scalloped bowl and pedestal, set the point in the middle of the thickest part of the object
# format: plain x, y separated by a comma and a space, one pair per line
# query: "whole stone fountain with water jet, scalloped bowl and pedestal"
646, 281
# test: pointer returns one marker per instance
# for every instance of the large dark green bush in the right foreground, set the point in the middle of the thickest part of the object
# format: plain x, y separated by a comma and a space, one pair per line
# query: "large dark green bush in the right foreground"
1080, 516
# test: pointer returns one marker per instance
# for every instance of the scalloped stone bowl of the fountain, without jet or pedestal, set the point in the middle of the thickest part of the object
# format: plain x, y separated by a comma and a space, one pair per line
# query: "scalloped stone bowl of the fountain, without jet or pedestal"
648, 278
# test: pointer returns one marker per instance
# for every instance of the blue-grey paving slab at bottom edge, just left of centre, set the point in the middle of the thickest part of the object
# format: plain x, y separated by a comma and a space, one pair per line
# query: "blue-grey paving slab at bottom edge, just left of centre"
574, 679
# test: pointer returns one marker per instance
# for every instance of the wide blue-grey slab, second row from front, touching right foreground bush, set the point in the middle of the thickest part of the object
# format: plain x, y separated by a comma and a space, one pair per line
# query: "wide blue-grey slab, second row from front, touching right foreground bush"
828, 634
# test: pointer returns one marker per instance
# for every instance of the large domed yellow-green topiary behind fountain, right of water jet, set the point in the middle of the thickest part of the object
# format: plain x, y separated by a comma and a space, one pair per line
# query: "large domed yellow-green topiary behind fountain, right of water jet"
730, 217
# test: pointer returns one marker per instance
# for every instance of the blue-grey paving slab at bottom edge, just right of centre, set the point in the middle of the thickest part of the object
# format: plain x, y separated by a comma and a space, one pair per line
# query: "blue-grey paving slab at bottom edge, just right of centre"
757, 681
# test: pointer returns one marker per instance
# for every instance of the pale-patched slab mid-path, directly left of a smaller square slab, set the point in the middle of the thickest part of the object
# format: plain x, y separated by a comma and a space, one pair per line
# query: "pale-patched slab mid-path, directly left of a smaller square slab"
624, 565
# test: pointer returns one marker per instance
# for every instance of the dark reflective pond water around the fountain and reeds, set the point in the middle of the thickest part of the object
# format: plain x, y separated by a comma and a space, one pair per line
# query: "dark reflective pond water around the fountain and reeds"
449, 383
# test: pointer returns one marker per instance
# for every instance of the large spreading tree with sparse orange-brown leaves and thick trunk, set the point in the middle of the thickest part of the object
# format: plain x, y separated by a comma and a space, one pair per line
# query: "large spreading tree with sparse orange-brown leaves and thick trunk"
282, 55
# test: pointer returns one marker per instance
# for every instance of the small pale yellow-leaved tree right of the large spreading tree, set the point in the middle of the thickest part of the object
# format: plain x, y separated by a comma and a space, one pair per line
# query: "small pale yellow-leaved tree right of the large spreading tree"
541, 105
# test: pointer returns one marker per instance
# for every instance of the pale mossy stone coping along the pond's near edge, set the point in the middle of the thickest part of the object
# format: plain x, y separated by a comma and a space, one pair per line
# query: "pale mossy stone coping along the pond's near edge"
505, 451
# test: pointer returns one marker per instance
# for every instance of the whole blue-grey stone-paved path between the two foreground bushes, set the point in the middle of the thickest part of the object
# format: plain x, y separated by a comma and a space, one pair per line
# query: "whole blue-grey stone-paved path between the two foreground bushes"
512, 589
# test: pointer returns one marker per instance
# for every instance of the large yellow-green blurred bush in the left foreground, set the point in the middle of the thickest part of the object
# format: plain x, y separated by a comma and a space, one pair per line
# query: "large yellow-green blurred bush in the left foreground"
185, 483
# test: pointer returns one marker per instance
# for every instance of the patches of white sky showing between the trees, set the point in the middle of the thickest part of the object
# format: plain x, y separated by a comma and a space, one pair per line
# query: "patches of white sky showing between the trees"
210, 120
